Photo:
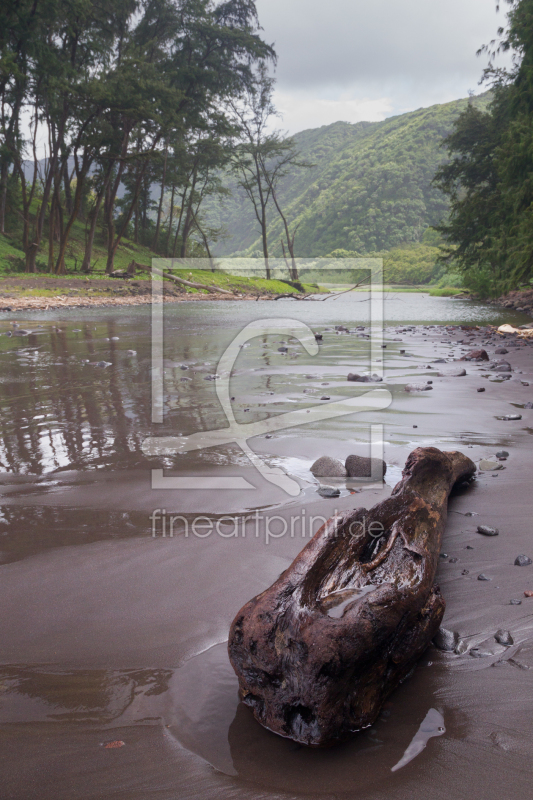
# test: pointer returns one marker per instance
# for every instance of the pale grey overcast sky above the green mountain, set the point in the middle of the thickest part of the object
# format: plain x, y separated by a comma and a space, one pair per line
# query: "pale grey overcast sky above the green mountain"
358, 60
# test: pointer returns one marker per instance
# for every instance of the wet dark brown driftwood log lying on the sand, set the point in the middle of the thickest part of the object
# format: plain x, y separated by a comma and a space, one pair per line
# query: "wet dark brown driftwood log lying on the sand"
318, 652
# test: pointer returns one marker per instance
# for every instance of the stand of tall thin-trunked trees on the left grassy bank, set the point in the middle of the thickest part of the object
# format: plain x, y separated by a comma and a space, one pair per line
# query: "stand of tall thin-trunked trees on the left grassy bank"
124, 95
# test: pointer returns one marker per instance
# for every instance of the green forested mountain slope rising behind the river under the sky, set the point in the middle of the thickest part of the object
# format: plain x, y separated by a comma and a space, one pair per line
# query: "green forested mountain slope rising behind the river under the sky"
369, 189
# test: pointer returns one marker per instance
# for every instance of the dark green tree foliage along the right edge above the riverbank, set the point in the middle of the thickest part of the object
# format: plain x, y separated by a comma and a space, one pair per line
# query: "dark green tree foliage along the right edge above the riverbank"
489, 179
